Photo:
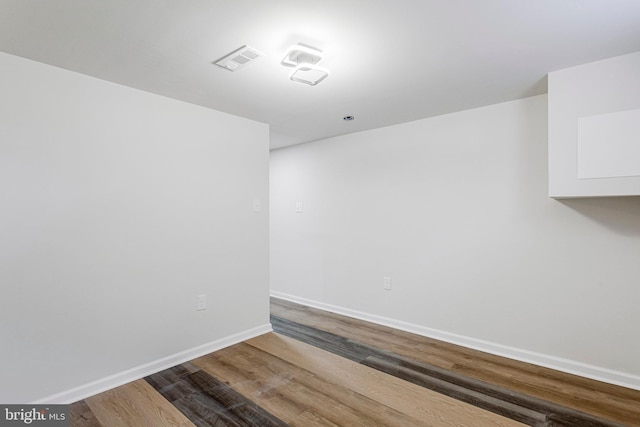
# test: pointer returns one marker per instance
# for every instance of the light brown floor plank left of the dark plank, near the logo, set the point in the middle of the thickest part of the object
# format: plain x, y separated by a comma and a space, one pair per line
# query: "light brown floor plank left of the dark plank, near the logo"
135, 404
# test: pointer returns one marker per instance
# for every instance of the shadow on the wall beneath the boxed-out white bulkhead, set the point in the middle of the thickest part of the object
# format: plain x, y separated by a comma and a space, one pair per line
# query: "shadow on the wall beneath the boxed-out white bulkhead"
619, 214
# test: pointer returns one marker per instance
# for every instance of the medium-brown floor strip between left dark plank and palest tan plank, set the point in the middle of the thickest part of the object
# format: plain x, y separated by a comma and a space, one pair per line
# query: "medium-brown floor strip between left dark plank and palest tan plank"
260, 374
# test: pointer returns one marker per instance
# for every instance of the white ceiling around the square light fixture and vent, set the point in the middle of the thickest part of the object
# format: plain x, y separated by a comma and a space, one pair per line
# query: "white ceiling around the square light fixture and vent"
391, 61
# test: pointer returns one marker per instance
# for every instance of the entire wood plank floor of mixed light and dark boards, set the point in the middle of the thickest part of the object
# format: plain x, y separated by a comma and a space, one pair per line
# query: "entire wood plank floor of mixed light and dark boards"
345, 379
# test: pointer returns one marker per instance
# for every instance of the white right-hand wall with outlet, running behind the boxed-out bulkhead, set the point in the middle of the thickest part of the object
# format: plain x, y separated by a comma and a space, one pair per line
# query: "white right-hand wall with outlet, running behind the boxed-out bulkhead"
455, 210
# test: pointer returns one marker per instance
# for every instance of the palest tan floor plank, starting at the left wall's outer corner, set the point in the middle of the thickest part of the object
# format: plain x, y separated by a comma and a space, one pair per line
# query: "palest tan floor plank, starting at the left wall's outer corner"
424, 405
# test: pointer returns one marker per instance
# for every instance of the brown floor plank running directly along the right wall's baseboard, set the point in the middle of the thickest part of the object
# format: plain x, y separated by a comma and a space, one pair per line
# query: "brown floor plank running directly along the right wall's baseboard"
600, 399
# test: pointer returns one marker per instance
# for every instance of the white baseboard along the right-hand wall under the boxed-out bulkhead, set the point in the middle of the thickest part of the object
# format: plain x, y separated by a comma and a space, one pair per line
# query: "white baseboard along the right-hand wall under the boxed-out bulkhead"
564, 365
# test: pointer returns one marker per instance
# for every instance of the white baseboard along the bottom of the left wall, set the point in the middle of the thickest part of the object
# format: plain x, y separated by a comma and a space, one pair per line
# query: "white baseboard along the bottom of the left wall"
112, 381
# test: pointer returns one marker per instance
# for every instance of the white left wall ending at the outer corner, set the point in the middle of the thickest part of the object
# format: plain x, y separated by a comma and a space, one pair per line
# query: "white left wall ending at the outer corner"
118, 207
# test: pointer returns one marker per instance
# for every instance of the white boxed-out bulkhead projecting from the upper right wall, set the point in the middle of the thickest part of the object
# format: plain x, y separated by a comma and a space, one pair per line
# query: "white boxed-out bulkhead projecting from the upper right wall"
585, 101
